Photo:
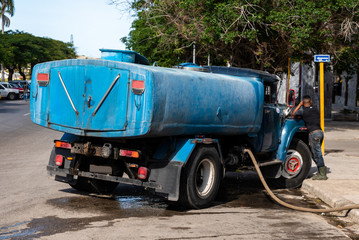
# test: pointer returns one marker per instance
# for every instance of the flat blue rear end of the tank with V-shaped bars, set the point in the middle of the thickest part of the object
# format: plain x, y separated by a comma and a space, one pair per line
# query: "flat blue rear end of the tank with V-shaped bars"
90, 97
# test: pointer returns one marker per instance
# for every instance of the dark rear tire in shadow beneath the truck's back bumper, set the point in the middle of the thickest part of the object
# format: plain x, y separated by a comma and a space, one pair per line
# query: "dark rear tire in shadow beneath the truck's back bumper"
94, 185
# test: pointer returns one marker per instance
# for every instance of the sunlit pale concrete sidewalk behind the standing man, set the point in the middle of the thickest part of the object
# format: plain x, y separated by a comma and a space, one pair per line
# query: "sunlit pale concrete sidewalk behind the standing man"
342, 160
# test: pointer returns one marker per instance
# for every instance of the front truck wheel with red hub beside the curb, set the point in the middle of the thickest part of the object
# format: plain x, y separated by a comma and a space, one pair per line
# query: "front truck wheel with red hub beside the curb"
293, 174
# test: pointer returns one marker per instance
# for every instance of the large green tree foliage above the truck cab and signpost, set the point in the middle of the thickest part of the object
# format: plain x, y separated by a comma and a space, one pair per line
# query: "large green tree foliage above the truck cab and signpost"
259, 34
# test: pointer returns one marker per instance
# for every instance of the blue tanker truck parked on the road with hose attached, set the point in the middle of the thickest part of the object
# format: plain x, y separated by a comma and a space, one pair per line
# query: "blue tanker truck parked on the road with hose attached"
175, 131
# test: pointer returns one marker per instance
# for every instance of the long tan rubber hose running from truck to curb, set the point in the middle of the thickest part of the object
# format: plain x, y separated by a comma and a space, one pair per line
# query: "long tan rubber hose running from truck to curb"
279, 201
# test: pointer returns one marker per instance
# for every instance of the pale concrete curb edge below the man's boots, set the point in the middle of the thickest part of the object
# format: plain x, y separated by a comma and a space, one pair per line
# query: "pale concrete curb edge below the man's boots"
331, 199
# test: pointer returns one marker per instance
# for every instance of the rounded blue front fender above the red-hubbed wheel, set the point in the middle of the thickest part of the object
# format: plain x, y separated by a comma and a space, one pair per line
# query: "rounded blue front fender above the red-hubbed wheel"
290, 127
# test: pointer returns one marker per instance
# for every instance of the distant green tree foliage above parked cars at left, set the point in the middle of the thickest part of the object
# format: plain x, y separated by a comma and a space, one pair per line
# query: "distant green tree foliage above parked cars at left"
19, 50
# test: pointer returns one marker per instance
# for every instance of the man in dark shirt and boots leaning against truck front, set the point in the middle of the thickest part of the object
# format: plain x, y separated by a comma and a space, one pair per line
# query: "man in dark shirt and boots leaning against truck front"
311, 118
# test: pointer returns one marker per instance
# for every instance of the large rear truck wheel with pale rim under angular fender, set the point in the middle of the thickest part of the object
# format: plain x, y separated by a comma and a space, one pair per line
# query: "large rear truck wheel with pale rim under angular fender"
201, 178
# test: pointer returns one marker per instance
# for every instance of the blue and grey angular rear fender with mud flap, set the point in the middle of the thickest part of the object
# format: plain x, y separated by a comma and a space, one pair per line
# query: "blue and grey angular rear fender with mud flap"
169, 175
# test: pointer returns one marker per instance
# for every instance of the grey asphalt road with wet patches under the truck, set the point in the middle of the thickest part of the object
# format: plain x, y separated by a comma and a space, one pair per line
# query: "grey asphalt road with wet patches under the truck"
35, 206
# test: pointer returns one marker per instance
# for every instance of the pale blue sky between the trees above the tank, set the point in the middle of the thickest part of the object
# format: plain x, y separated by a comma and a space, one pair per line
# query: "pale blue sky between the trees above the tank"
94, 24
